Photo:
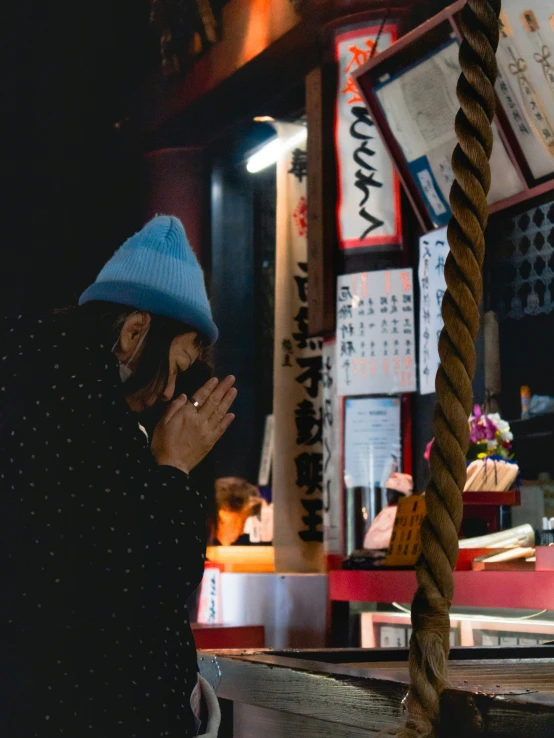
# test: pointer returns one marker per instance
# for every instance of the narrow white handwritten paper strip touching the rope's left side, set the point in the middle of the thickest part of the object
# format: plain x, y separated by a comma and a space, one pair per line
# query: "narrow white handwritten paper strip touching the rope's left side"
433, 250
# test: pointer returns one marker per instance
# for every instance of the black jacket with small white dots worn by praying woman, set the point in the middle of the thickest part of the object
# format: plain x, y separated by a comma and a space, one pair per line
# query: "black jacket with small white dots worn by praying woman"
99, 550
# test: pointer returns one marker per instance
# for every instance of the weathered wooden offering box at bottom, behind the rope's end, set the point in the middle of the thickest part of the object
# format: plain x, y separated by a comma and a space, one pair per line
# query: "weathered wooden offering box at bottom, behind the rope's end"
494, 693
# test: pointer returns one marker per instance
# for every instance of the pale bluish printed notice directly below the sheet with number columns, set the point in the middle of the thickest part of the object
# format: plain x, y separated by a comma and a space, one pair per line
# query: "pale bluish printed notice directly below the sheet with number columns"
372, 445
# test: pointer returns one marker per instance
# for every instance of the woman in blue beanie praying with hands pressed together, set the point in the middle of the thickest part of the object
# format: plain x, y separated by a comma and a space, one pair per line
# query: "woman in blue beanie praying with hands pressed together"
102, 535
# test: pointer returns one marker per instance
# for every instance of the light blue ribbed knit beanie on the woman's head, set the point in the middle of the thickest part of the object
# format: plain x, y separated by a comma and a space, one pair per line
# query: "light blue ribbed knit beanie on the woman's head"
157, 271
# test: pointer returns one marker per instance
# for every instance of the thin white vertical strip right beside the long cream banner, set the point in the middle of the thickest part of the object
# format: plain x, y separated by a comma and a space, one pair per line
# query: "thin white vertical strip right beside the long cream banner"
332, 483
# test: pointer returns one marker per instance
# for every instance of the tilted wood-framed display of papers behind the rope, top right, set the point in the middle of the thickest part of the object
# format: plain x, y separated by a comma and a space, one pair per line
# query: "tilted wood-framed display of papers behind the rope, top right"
410, 89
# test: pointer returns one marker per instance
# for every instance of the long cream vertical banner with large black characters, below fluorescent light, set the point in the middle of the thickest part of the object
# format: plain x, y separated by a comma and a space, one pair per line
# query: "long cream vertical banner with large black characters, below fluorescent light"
297, 459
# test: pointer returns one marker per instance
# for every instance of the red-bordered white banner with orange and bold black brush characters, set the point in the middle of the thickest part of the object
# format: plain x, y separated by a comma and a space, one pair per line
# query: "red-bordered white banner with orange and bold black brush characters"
369, 212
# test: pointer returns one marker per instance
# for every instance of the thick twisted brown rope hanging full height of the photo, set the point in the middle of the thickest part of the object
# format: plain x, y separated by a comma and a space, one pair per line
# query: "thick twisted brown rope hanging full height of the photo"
429, 644
